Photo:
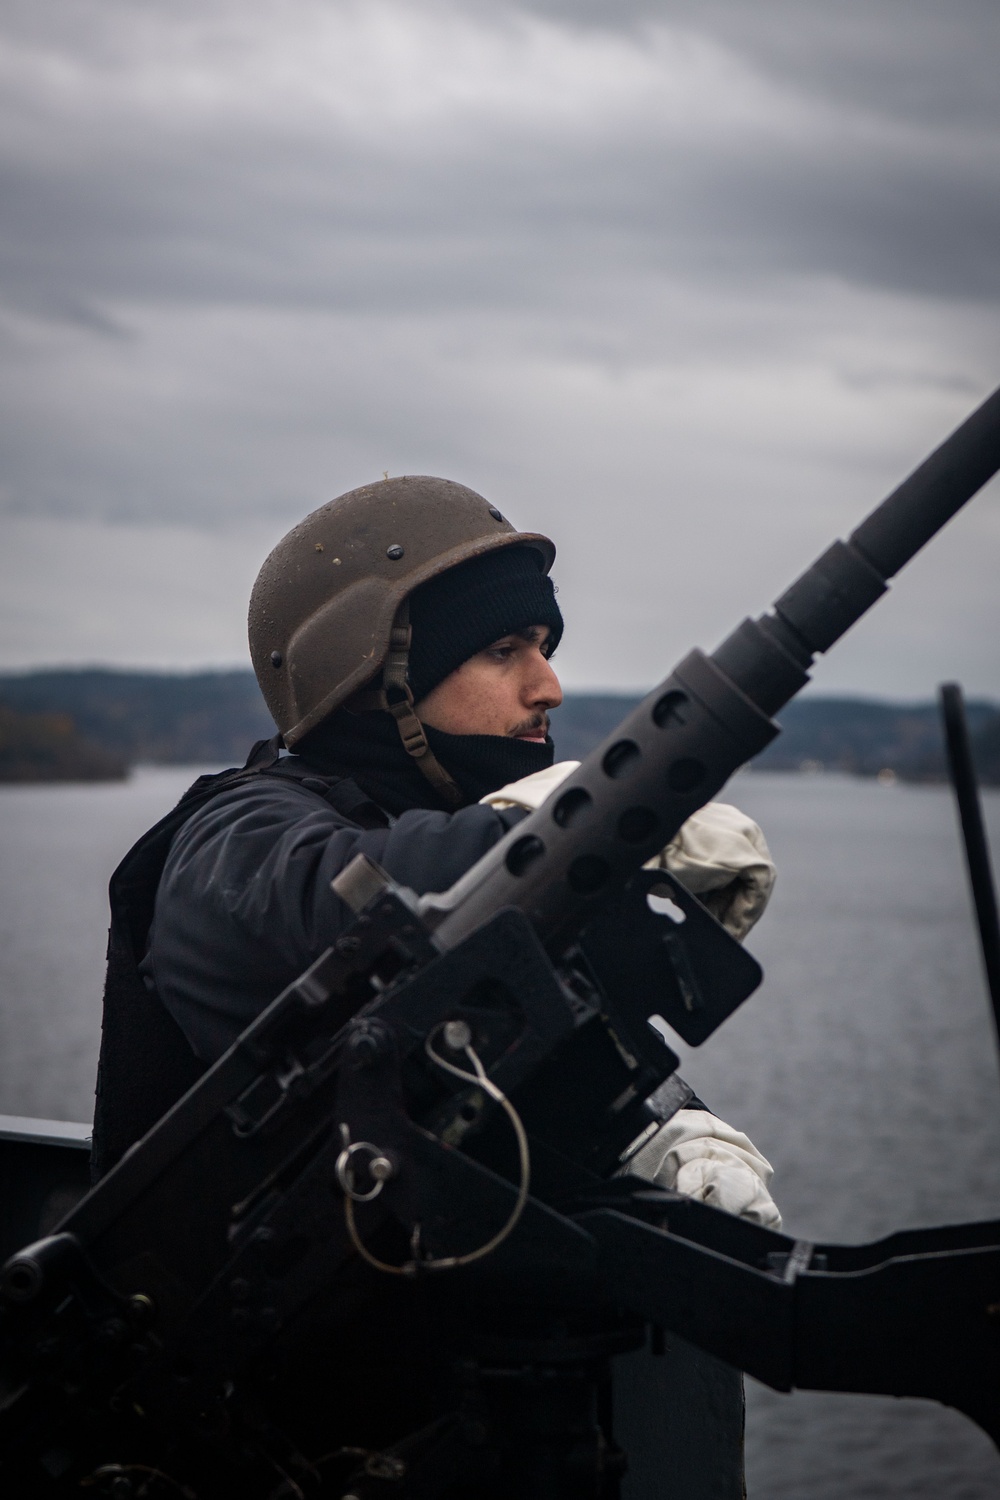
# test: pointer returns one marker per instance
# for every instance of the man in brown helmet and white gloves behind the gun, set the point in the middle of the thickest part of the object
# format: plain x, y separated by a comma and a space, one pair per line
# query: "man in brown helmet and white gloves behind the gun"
403, 637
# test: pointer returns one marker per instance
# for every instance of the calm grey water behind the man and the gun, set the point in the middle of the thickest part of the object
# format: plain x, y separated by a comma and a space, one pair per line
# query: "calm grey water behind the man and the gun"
866, 1067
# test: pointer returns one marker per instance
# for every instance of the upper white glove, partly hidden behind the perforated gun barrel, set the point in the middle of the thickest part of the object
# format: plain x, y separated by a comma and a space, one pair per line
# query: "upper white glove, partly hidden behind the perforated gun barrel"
720, 854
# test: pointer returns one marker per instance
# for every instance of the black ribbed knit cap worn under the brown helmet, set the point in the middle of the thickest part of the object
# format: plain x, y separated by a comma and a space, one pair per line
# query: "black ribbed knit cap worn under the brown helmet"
472, 605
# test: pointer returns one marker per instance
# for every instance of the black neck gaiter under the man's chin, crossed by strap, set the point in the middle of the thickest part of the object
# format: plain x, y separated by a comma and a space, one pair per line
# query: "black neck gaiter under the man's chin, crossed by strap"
367, 748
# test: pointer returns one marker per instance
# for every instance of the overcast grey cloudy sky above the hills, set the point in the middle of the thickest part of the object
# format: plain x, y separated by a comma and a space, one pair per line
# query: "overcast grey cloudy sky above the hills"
687, 284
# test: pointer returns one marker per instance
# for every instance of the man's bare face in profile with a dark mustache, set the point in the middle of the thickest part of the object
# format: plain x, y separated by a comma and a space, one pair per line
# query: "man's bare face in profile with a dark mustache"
504, 691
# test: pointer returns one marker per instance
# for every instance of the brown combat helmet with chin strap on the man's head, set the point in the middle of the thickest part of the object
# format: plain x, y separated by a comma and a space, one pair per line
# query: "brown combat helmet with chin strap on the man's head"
331, 608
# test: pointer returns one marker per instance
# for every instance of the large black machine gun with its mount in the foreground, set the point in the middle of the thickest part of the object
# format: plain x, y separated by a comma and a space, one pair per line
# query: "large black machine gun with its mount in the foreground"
424, 1138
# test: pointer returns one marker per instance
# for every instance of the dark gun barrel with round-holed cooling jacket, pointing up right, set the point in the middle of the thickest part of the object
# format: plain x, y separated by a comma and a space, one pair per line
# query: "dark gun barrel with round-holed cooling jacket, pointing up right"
711, 716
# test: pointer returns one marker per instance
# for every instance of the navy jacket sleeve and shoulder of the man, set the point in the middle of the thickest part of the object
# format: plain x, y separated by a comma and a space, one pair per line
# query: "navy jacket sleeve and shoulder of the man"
245, 901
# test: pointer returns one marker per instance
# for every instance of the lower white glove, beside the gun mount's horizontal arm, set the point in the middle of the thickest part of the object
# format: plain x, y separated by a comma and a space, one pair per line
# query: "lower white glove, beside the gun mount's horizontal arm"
708, 1160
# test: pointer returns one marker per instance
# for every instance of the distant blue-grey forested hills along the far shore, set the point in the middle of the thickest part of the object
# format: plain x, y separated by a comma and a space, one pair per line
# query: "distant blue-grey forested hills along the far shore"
214, 719
